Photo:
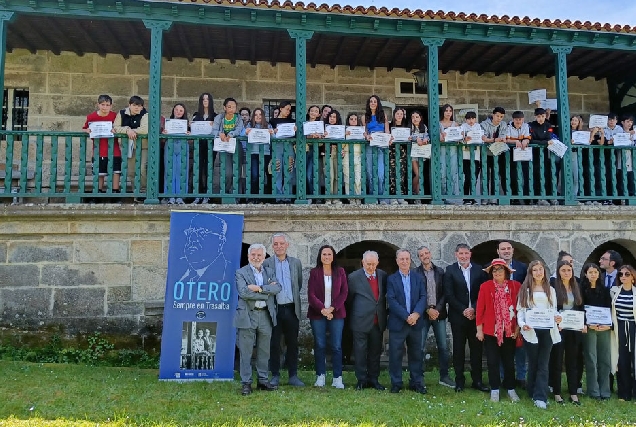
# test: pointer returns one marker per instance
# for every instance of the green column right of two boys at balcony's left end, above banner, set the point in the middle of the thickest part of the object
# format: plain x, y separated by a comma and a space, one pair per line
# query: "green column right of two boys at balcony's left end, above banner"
154, 106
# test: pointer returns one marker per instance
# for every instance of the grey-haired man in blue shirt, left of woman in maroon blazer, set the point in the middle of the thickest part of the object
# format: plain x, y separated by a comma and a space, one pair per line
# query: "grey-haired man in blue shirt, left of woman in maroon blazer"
289, 273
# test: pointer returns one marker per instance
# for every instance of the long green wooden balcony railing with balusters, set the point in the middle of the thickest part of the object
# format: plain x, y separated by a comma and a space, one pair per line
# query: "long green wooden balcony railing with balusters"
64, 165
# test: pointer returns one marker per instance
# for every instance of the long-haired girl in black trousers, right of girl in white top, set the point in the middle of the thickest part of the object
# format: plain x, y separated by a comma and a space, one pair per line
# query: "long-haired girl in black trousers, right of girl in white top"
568, 298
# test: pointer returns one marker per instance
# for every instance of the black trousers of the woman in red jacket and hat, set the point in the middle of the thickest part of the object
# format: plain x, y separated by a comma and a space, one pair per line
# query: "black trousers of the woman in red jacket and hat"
497, 356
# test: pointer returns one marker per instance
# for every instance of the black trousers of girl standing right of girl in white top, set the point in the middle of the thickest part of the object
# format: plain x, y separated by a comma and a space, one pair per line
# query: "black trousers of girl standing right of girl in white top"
567, 350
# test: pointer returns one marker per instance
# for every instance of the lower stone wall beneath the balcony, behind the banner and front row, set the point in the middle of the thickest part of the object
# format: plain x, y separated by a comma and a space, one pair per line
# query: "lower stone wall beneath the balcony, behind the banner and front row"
88, 268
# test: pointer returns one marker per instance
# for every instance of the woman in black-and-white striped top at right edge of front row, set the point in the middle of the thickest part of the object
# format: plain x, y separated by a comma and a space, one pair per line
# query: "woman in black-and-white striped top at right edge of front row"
624, 333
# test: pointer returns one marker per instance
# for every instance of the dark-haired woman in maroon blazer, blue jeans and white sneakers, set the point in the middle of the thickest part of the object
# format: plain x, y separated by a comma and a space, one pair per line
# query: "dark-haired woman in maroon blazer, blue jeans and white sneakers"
327, 292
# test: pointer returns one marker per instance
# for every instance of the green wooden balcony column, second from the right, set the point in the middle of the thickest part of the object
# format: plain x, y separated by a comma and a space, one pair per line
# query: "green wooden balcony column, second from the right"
433, 45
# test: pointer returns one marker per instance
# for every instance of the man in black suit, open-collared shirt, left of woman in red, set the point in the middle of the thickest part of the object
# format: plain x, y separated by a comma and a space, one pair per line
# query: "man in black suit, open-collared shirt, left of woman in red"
462, 281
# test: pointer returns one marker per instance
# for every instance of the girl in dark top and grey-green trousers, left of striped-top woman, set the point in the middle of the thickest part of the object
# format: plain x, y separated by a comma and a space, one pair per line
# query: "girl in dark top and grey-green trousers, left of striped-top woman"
596, 343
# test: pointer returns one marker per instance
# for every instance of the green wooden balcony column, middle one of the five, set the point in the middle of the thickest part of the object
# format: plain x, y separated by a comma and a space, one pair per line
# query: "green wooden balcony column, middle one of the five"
301, 37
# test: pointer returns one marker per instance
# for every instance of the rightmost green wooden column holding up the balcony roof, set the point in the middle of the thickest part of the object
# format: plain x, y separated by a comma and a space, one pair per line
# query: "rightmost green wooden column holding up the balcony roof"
561, 77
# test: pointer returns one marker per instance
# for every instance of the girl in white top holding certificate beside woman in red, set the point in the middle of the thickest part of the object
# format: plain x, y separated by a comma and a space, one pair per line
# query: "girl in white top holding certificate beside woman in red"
536, 293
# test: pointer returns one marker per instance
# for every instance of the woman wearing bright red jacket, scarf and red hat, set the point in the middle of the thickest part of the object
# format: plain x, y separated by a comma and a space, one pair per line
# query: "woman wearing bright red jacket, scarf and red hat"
497, 326
